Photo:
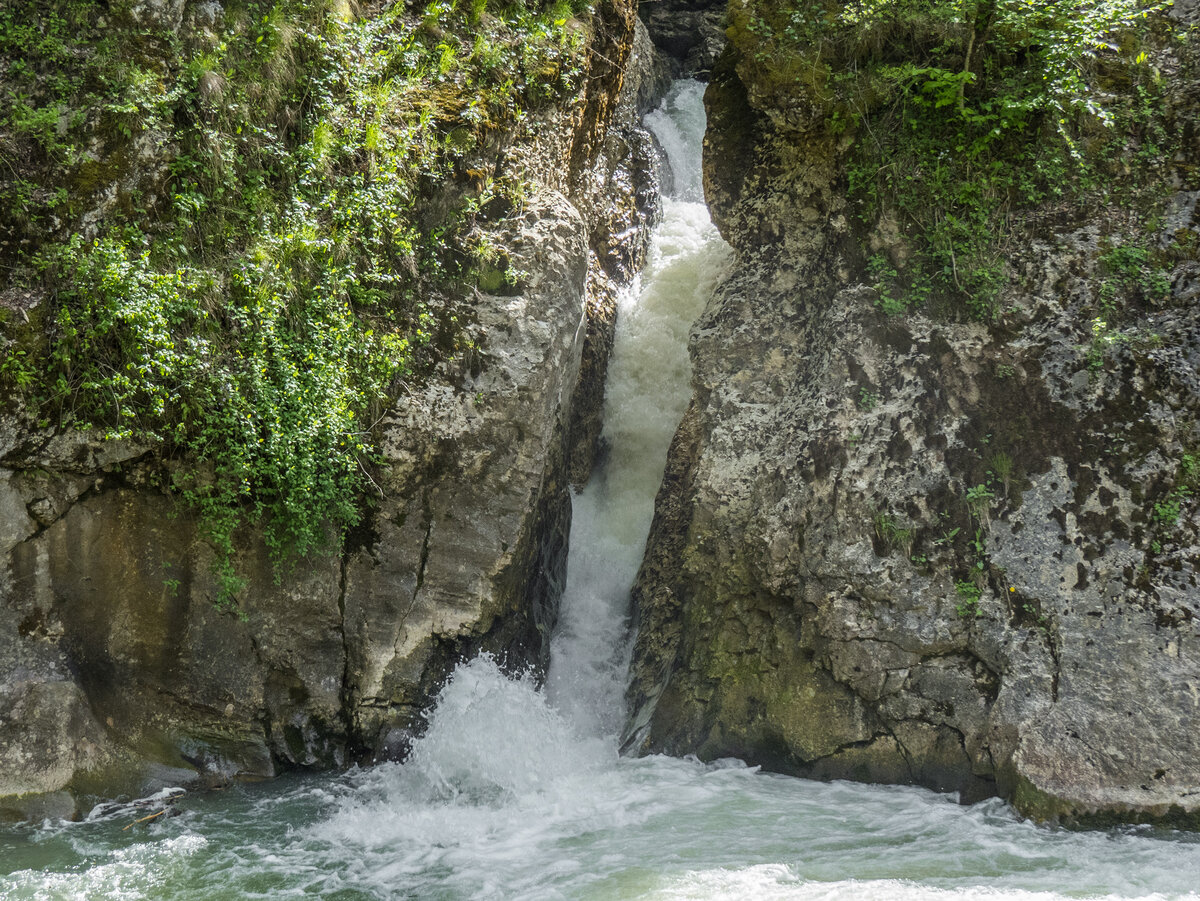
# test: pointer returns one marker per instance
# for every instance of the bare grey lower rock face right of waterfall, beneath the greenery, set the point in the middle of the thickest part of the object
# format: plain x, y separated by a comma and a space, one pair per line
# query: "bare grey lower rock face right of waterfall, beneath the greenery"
823, 596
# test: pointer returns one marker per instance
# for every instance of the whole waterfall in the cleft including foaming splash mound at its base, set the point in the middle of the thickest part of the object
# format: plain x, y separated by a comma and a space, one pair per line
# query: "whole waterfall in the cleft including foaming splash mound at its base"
494, 738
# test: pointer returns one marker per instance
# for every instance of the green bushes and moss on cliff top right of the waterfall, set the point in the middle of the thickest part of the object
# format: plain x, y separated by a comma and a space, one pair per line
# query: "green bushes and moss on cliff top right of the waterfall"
968, 119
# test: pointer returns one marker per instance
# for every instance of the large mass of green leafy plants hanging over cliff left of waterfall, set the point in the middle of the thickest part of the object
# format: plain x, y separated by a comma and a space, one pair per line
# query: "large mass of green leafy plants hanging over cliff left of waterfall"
283, 206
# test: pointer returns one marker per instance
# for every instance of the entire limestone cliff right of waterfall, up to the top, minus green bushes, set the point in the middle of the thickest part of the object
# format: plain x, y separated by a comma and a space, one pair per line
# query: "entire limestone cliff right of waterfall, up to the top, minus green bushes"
917, 546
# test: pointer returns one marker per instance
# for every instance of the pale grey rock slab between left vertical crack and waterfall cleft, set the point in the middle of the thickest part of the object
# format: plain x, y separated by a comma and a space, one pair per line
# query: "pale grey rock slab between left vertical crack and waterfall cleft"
471, 542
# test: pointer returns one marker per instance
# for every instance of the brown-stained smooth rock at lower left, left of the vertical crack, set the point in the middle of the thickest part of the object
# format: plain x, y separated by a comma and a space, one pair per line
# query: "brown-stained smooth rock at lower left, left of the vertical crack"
152, 684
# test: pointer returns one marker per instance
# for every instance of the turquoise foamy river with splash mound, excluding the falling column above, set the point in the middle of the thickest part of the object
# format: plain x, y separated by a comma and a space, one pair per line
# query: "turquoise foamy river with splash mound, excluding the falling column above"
574, 821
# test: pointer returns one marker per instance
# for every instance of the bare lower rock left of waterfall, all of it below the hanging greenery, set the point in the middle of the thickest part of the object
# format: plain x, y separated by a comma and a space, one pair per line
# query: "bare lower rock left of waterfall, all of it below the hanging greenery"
109, 604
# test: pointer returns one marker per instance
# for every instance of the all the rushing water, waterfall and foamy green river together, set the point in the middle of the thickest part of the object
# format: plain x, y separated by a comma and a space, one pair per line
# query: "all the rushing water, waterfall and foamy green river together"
519, 792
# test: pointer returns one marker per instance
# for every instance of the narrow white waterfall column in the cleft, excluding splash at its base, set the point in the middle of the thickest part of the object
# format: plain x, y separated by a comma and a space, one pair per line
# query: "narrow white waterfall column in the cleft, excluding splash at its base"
649, 388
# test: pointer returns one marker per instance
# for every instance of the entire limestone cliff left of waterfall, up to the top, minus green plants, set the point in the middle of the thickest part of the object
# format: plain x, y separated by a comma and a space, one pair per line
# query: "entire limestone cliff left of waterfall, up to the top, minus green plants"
119, 672
